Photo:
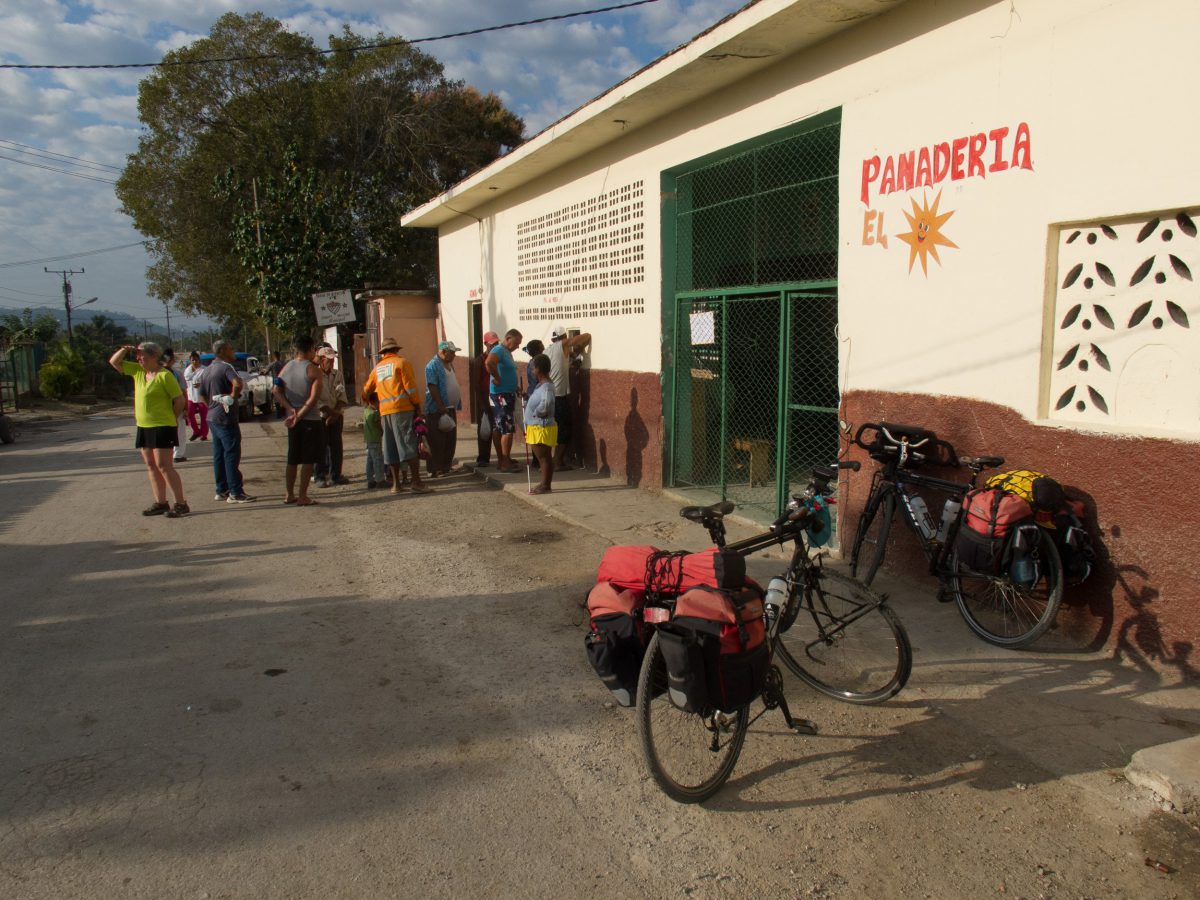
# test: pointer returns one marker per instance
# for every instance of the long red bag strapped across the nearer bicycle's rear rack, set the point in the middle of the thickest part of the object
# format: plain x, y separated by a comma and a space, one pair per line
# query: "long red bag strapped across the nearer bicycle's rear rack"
653, 569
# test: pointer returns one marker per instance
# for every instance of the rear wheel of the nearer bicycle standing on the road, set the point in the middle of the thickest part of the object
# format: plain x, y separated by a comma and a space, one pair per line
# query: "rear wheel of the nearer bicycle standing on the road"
691, 755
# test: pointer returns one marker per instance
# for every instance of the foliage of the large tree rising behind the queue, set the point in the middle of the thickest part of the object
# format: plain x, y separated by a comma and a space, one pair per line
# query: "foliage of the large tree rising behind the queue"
339, 148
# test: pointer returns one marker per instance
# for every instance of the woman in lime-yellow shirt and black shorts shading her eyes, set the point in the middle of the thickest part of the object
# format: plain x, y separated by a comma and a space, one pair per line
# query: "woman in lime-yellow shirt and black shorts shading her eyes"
158, 403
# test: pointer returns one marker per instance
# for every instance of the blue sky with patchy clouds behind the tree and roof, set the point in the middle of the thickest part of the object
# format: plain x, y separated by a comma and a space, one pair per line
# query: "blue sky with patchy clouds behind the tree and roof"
542, 73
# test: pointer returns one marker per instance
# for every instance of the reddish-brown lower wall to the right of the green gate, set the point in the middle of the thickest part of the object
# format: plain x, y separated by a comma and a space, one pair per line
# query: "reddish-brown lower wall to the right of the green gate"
1144, 514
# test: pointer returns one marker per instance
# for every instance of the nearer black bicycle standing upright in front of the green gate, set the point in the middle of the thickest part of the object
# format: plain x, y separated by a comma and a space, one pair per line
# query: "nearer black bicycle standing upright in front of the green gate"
835, 634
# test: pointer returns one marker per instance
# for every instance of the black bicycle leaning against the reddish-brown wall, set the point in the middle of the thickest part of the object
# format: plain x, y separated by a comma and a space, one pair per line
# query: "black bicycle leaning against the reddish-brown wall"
1004, 608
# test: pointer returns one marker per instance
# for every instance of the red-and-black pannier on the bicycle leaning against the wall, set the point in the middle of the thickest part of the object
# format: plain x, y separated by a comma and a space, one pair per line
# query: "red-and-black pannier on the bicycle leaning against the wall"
998, 531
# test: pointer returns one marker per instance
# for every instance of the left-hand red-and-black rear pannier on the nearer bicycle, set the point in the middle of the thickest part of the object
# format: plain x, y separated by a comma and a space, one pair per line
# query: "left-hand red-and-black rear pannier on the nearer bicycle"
616, 640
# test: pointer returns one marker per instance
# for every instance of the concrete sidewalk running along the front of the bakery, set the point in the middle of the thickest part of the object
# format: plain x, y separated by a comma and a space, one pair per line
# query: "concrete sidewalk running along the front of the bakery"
1079, 715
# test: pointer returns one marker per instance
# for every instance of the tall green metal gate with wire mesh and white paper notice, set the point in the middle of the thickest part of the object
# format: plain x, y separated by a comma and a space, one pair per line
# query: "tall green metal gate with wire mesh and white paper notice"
752, 379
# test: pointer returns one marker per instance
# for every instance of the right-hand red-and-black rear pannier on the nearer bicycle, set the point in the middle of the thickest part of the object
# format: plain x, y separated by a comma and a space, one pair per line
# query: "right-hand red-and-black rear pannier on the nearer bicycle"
716, 650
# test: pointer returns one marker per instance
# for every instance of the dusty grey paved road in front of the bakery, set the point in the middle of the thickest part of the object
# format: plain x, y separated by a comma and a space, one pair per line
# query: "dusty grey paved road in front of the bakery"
388, 698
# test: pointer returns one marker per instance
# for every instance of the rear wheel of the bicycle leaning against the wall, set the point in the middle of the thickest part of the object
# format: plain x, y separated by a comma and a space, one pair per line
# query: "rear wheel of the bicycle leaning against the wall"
1005, 614
